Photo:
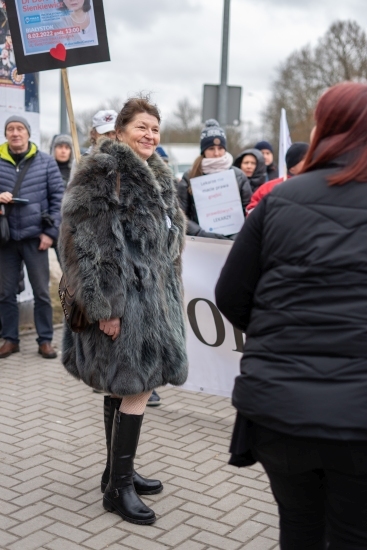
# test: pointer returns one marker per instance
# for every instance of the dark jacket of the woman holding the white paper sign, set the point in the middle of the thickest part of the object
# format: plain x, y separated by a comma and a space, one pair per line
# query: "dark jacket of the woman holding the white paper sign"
187, 203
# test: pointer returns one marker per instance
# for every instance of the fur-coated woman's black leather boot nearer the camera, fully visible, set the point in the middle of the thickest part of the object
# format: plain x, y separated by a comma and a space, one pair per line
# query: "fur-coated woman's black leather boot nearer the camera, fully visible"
120, 495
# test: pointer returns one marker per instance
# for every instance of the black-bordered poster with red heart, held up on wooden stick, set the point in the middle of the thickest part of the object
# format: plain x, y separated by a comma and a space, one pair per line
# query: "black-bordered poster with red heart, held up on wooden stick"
55, 34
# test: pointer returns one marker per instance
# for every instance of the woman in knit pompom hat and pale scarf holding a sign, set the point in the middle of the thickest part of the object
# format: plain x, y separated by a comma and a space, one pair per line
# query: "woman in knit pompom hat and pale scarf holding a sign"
214, 158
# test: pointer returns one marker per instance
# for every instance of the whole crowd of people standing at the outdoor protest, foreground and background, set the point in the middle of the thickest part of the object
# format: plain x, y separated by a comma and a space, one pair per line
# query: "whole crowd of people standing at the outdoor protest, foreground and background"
294, 282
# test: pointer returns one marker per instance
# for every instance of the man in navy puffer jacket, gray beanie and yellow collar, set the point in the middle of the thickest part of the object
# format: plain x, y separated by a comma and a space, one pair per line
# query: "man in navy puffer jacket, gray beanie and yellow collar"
33, 226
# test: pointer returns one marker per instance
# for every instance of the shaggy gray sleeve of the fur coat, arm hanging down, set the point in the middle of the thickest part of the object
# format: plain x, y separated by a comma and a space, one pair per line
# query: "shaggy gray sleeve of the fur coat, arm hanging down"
91, 239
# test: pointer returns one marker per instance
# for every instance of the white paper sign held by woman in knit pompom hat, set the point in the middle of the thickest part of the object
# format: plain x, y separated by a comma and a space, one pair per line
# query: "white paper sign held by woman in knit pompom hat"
218, 202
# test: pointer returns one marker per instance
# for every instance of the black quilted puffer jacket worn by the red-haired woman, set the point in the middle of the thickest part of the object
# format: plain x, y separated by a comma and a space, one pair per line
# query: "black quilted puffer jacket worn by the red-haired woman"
296, 282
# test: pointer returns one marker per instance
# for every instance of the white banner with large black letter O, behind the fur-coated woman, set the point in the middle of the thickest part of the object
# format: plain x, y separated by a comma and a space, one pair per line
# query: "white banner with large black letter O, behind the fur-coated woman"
214, 346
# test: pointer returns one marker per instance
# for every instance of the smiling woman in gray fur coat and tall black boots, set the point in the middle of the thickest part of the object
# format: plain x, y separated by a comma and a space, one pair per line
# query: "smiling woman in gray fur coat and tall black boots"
123, 255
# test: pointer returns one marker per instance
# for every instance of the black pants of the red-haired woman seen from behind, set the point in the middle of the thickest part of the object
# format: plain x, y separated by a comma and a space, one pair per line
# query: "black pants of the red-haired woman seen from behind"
320, 487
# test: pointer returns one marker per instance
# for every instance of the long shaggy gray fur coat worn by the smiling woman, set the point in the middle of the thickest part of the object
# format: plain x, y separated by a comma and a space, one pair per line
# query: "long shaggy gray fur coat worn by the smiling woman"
123, 256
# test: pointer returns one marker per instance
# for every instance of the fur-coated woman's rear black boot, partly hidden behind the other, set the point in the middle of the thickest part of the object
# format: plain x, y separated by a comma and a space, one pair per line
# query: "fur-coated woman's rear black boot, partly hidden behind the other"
143, 486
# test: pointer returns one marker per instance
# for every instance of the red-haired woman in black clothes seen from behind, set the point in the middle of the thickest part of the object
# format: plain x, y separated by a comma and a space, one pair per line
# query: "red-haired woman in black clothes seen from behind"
296, 282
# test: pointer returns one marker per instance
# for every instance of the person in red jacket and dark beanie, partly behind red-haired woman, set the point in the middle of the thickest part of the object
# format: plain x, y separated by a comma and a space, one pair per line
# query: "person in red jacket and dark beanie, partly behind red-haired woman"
295, 159
